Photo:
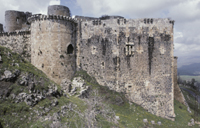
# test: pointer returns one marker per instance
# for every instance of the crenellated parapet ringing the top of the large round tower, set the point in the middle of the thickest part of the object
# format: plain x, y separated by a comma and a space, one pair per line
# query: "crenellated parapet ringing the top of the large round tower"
40, 17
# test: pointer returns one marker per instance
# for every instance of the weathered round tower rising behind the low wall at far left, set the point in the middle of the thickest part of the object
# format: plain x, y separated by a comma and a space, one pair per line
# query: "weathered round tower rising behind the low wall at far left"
14, 20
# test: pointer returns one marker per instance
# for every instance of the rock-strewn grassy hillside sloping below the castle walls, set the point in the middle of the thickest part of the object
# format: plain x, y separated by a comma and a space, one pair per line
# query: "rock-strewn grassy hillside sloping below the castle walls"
102, 108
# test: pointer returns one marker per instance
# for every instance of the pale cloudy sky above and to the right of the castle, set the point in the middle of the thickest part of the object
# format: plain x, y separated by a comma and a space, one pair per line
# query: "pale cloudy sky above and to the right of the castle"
186, 14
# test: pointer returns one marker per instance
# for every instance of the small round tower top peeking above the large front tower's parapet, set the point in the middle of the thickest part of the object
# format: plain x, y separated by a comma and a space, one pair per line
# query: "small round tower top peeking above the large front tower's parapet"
58, 10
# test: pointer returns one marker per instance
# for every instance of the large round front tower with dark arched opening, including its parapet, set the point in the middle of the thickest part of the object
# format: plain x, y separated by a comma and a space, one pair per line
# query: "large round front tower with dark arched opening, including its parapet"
53, 43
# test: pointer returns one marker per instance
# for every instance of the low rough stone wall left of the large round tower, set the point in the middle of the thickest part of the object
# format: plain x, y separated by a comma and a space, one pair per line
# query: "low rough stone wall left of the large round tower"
18, 42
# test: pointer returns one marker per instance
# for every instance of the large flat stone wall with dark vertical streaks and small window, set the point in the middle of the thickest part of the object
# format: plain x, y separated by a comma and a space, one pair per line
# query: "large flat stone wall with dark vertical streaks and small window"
132, 56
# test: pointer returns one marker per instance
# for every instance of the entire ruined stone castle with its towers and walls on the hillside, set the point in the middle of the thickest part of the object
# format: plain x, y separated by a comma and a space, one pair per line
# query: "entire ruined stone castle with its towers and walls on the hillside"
133, 56
